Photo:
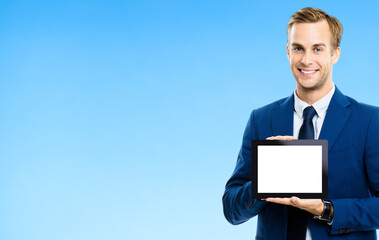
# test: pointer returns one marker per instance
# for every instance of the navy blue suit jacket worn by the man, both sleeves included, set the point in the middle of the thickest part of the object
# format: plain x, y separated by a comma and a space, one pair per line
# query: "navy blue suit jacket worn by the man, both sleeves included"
352, 131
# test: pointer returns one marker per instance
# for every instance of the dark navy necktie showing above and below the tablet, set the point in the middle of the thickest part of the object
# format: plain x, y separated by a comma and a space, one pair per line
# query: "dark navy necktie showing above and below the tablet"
297, 218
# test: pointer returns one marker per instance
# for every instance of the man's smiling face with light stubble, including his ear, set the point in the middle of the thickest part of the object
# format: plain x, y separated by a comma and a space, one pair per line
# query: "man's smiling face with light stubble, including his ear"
311, 56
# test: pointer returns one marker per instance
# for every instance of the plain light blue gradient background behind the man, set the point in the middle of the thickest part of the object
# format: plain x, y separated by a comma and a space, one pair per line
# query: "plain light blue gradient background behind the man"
123, 119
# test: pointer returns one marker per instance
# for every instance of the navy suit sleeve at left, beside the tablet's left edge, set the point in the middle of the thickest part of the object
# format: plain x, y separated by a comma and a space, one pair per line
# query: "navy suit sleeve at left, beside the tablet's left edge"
237, 201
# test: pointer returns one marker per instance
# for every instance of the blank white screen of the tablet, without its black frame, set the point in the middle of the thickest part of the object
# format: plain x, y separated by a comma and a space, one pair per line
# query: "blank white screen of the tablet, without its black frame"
289, 169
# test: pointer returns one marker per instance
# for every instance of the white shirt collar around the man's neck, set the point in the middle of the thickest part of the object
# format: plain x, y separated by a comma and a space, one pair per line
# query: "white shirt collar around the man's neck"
320, 106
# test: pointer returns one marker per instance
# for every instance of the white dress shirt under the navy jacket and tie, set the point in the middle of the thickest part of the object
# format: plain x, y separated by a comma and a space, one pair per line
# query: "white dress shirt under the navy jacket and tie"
320, 106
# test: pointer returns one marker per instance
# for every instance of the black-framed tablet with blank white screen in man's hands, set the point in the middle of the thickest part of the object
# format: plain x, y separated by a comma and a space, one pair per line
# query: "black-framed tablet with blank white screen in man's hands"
290, 168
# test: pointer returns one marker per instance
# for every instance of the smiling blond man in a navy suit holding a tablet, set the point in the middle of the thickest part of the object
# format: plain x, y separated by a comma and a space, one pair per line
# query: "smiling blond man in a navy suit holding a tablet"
352, 131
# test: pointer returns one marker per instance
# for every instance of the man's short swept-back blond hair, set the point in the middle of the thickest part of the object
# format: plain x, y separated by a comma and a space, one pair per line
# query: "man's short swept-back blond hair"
313, 15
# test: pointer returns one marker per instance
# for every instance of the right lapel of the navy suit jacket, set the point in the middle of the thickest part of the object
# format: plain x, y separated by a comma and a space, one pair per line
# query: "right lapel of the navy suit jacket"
336, 118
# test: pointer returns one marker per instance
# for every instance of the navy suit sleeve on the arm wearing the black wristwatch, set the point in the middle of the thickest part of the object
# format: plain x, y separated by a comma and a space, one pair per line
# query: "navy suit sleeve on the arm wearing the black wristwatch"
354, 215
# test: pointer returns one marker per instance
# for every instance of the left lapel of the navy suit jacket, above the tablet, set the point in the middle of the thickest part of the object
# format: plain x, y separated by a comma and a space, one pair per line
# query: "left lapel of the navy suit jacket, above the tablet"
282, 118
